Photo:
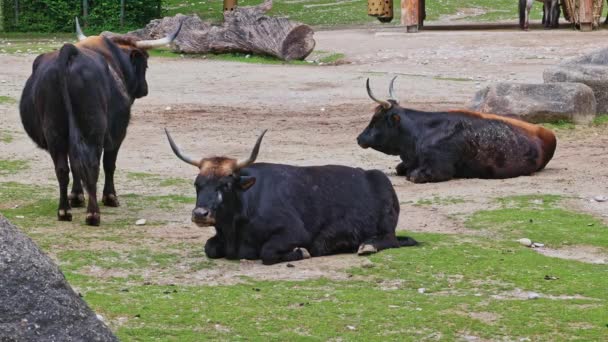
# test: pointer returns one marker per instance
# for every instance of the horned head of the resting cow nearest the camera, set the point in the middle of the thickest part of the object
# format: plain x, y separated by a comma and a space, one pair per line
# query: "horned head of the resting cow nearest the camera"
218, 184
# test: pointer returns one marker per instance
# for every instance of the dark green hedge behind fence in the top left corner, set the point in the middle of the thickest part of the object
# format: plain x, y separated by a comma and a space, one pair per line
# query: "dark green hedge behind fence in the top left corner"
58, 15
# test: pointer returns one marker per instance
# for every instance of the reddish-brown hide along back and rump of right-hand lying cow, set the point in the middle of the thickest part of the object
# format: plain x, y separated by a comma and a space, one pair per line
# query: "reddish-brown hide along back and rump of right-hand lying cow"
546, 136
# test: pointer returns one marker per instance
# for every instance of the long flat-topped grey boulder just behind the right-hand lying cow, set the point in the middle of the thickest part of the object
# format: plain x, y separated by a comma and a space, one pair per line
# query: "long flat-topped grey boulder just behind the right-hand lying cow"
549, 102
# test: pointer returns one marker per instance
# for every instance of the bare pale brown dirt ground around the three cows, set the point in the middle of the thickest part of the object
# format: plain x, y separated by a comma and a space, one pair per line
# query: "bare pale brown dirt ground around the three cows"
314, 114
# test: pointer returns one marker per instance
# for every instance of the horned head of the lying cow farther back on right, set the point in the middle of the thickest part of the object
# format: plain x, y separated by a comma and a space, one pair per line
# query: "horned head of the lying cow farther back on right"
383, 130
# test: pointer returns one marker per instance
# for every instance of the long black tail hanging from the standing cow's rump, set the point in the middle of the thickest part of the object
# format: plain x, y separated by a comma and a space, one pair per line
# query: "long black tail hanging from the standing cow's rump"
82, 156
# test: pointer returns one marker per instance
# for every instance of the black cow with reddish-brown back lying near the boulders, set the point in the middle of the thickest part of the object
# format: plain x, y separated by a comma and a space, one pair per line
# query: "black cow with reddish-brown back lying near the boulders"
438, 146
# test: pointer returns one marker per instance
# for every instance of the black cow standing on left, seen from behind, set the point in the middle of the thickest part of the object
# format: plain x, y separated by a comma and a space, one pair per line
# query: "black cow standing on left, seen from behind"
77, 103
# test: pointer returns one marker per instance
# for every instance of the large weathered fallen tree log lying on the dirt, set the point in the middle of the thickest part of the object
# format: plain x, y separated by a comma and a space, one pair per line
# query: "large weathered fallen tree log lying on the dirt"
246, 30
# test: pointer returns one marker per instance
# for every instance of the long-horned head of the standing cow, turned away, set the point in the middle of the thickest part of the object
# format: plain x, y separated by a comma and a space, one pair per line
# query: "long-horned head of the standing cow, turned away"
136, 55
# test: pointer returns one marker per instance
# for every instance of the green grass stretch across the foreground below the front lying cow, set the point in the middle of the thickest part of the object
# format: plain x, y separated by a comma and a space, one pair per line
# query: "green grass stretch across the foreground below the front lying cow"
470, 290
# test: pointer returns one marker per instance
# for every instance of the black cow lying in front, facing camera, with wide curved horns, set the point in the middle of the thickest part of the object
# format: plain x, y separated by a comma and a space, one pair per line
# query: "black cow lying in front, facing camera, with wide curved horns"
283, 213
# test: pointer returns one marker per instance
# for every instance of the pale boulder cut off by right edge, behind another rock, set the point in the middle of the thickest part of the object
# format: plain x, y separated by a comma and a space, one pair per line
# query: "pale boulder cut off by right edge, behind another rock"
591, 69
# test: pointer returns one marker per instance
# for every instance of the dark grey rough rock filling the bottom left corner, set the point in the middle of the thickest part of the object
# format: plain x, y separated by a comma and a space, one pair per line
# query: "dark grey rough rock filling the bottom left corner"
36, 302
